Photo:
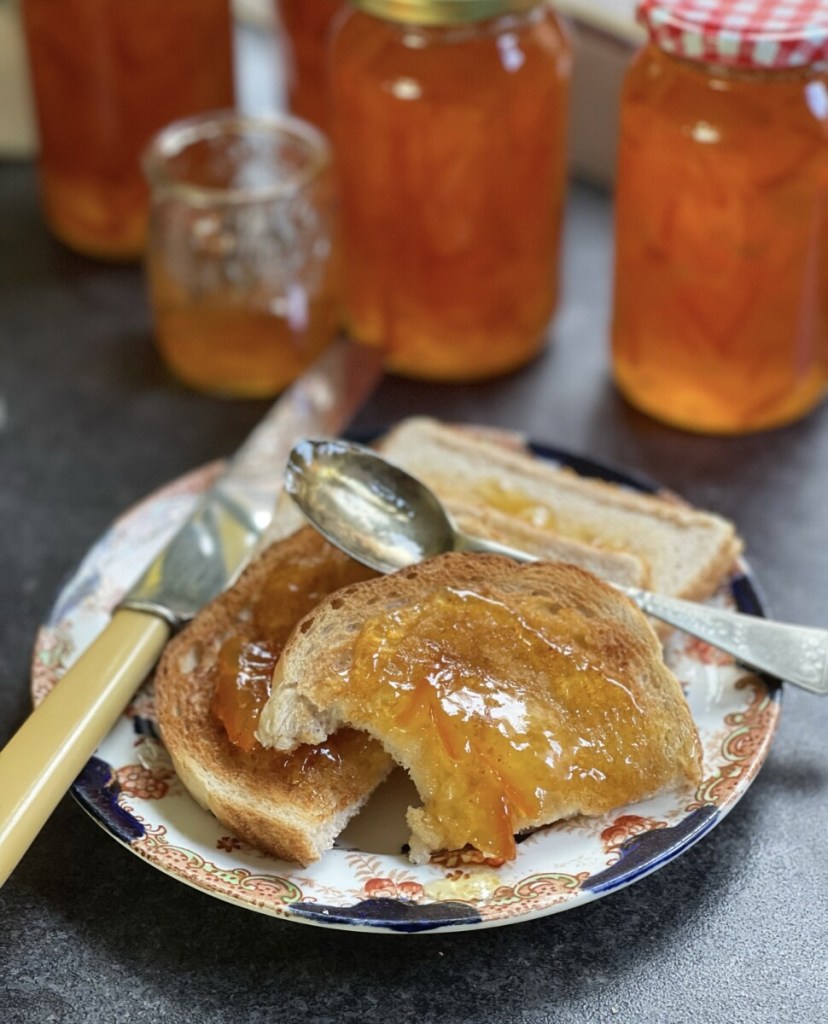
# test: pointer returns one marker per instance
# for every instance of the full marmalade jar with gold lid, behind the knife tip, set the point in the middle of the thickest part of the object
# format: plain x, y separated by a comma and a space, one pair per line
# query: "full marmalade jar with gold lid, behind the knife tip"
450, 123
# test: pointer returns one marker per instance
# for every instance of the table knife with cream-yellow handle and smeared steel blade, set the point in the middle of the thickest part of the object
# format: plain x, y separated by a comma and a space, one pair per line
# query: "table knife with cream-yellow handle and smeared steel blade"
204, 558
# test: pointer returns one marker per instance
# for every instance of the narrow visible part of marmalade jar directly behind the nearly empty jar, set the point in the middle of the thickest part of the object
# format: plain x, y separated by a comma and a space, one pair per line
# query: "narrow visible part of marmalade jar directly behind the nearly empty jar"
308, 26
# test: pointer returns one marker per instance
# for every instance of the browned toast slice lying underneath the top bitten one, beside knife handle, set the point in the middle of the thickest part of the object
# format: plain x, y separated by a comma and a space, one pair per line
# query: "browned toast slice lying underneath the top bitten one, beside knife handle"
292, 807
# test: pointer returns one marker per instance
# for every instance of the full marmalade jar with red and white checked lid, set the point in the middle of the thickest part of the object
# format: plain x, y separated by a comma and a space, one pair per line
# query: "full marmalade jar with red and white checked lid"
721, 319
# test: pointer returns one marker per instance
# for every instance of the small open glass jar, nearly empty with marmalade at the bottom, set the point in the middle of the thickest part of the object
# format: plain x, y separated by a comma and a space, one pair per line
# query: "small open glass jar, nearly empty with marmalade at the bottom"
242, 257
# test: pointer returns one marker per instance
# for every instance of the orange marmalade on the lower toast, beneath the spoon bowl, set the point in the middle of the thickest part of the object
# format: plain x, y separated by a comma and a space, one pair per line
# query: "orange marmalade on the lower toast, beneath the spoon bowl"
246, 662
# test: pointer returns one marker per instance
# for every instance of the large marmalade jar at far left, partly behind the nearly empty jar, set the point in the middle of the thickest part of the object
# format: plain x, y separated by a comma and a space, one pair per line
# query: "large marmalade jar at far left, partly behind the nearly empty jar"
107, 75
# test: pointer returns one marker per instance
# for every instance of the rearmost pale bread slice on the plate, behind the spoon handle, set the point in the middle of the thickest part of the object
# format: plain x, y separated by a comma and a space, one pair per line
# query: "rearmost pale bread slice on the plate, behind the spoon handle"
685, 551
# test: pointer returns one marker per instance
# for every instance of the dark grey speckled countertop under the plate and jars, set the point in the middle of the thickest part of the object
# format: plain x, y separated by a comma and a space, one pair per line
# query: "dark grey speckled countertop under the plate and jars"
733, 931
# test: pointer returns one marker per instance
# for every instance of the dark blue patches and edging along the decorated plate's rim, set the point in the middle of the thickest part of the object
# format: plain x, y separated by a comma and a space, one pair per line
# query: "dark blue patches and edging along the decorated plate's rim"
98, 792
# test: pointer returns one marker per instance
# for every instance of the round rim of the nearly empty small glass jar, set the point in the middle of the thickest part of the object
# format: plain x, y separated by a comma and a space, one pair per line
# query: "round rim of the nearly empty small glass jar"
177, 138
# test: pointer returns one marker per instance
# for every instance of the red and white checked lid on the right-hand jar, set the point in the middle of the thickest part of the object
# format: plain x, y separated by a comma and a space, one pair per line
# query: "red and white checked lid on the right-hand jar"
740, 33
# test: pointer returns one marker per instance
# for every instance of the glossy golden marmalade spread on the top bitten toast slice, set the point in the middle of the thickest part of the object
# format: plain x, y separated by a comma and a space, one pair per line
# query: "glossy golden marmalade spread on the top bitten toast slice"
506, 716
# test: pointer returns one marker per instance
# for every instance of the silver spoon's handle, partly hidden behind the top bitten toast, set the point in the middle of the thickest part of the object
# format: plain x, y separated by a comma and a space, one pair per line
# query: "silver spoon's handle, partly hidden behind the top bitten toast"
796, 654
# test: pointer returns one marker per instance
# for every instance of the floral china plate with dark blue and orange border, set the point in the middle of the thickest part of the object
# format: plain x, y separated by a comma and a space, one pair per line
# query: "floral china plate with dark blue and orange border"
367, 882
